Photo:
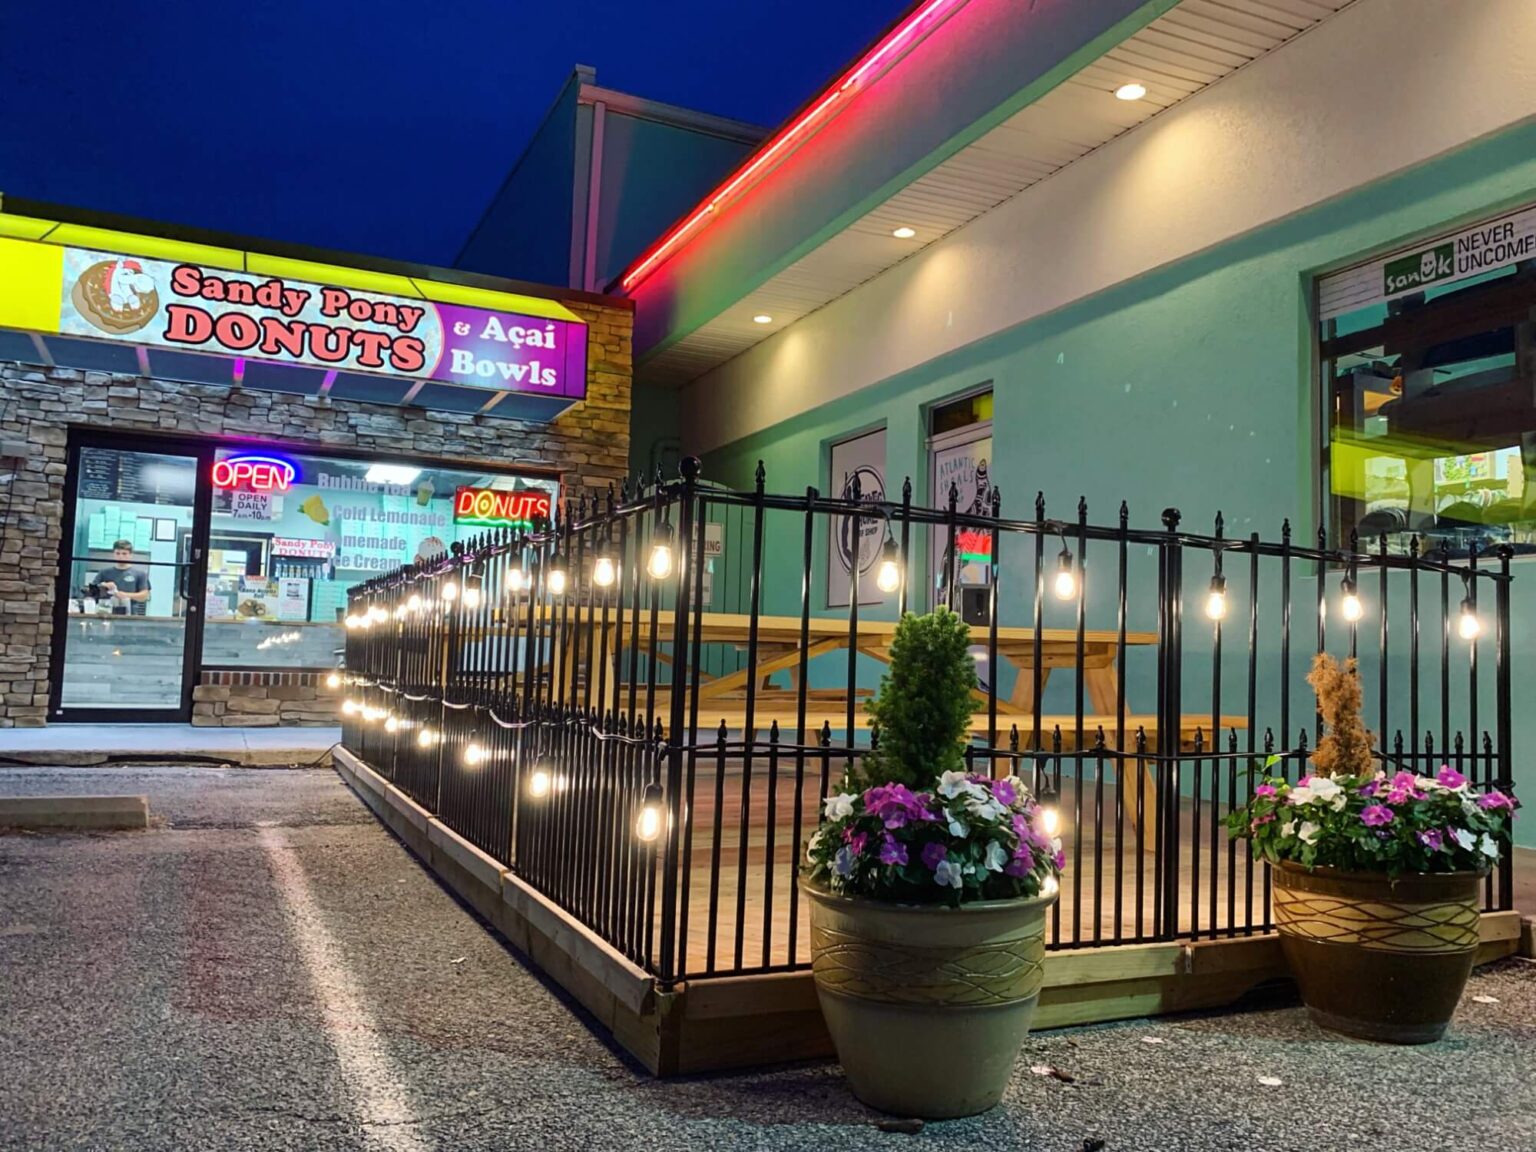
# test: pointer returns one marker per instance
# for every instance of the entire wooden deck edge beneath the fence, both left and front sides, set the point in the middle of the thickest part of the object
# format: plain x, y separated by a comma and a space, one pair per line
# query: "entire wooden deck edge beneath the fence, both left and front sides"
755, 1021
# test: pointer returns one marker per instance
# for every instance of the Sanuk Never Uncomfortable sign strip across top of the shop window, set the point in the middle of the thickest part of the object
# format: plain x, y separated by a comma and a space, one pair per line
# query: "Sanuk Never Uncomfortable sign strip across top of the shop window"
1460, 256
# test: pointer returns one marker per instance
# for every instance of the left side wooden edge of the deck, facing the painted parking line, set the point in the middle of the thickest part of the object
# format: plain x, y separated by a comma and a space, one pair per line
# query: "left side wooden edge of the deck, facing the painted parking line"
620, 995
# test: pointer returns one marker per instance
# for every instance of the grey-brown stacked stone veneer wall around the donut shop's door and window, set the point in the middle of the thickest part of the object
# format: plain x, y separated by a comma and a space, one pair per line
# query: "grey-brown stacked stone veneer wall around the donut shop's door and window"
589, 446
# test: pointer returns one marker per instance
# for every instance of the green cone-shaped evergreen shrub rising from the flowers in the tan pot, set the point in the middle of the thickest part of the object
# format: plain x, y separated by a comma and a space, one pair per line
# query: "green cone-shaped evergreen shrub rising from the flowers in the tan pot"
925, 703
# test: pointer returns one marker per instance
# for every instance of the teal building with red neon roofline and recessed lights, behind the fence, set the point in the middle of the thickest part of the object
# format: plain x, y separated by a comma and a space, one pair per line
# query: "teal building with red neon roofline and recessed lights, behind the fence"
1271, 259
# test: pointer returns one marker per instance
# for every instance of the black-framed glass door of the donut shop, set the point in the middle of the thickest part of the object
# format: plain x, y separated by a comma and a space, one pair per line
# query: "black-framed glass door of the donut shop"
128, 614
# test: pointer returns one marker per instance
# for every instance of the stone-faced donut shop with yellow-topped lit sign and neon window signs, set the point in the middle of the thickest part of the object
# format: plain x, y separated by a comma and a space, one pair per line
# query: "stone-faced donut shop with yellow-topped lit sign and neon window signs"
211, 445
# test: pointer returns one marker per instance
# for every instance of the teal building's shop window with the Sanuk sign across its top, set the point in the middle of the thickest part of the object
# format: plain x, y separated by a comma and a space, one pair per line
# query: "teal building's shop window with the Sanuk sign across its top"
1429, 376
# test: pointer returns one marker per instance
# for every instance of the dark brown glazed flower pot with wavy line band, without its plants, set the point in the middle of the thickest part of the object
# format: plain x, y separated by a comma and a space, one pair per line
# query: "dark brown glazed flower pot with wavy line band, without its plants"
1374, 958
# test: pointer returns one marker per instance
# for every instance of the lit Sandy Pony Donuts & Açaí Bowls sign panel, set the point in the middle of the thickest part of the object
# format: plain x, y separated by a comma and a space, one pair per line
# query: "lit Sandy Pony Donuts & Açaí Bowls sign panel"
204, 310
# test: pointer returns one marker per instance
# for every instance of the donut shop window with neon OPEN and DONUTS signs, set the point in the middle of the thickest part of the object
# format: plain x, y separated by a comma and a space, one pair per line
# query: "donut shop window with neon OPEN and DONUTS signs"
291, 534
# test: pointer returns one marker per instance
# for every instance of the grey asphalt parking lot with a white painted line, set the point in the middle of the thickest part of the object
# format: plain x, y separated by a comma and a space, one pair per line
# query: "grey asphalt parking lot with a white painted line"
268, 968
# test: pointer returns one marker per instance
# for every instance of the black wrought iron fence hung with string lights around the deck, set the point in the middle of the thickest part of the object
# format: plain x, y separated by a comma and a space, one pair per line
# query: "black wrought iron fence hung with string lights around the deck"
643, 707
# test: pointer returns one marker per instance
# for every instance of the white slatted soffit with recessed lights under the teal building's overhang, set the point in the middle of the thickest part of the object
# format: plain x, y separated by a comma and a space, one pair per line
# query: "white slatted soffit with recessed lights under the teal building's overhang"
1188, 48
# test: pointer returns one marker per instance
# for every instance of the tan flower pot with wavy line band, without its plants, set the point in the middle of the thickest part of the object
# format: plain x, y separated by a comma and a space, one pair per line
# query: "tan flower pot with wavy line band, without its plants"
929, 1007
